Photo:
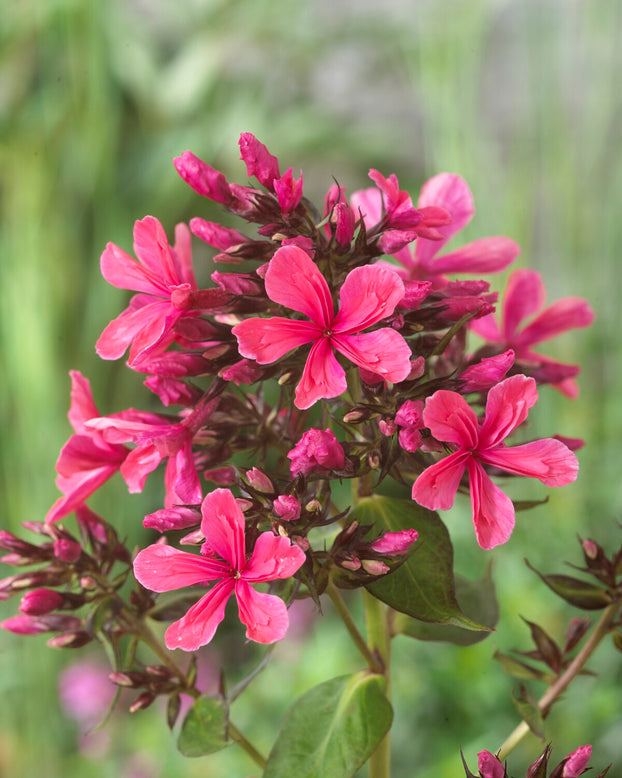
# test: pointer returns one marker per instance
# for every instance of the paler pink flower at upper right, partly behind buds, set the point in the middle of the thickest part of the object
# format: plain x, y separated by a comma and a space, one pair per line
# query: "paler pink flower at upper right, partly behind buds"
486, 255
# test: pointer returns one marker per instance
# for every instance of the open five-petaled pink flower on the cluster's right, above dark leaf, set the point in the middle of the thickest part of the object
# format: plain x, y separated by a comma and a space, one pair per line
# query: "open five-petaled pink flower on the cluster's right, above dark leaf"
450, 419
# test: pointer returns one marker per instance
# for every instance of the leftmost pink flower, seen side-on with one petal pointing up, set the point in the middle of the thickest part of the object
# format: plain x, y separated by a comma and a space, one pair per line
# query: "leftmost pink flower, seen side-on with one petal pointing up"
87, 460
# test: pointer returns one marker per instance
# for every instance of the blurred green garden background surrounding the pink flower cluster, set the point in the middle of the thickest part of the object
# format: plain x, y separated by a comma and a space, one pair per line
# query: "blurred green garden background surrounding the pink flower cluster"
520, 97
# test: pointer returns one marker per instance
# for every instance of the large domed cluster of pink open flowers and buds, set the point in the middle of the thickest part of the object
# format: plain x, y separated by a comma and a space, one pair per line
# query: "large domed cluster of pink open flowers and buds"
337, 345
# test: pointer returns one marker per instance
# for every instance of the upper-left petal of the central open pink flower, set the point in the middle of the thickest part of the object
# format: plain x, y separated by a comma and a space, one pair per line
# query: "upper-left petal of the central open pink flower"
294, 280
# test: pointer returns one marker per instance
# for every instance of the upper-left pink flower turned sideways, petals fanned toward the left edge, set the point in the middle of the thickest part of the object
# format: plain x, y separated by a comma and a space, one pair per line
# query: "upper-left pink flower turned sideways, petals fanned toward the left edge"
164, 278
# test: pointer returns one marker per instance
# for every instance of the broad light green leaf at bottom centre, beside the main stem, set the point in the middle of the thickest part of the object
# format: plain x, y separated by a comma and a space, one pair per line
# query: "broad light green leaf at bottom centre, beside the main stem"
332, 729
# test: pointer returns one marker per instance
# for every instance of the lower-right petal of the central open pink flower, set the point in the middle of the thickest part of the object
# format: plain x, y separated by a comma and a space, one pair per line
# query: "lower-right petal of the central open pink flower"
384, 352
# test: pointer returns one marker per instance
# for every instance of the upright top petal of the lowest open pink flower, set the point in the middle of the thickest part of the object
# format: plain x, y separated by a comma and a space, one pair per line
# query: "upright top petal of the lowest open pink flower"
223, 527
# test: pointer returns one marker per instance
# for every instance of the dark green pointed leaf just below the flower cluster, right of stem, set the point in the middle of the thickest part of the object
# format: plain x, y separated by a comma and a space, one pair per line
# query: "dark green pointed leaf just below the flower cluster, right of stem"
423, 587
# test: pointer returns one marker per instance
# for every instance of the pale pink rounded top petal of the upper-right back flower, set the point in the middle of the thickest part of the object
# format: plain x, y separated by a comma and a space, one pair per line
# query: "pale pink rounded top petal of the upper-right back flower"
451, 192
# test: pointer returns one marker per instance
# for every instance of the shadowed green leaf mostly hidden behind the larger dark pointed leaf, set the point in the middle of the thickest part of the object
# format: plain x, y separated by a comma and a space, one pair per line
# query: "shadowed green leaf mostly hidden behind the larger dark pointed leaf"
477, 600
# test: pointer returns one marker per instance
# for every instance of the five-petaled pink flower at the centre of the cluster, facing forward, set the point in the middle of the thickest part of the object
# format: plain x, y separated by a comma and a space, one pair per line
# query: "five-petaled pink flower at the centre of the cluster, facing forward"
368, 295
